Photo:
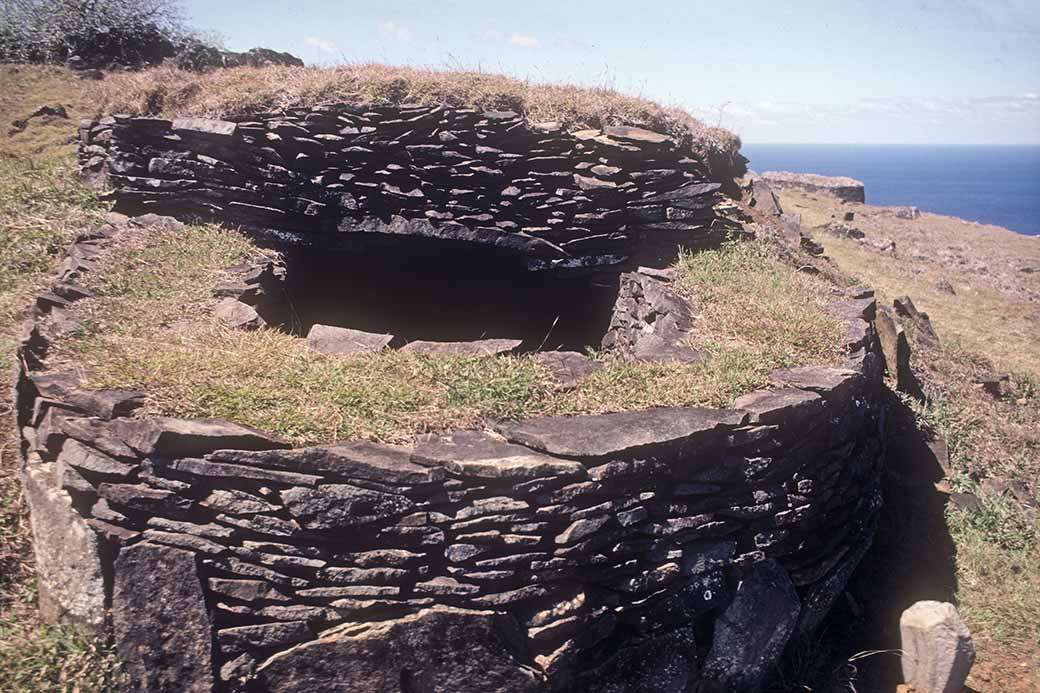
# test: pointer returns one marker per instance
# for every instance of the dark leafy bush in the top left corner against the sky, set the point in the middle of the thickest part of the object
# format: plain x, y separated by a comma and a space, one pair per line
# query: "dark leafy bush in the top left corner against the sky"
90, 34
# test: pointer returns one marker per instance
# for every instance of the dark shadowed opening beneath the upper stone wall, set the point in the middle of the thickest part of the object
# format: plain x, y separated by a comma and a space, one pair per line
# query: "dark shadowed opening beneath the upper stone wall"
444, 292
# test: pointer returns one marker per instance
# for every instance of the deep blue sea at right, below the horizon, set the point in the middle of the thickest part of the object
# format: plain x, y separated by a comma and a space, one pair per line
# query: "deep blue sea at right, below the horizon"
979, 184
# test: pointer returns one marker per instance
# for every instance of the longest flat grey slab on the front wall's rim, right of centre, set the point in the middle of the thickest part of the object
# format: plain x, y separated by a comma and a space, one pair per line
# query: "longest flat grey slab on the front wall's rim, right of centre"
620, 434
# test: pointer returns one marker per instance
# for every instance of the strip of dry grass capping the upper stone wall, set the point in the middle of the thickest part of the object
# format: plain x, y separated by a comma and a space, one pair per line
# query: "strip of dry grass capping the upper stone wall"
247, 91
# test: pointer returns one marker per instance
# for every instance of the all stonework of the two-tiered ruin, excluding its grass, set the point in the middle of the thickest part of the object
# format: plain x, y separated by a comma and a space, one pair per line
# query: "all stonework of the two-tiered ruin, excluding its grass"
663, 550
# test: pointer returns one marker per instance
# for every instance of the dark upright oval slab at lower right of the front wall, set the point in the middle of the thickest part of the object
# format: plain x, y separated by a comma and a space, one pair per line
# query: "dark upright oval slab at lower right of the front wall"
750, 635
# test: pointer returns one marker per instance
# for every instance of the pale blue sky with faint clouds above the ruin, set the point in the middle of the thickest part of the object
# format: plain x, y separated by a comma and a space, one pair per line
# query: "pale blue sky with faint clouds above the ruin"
773, 71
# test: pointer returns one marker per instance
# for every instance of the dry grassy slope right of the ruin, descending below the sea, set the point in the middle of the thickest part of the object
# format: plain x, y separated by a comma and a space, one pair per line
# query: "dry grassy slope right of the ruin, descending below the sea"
985, 327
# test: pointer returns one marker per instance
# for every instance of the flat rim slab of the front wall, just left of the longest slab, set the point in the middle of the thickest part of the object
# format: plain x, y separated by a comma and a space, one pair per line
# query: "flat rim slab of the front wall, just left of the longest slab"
477, 454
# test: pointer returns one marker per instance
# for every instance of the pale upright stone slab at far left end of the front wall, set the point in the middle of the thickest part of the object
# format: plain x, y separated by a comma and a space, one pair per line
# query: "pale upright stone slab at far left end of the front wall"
69, 557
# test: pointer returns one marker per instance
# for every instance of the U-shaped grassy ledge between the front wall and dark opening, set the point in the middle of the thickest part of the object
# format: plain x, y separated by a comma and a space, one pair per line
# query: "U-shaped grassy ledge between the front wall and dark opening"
759, 315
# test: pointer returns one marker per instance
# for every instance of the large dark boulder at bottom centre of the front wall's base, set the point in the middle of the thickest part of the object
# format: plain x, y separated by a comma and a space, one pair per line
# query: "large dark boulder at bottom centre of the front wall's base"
440, 649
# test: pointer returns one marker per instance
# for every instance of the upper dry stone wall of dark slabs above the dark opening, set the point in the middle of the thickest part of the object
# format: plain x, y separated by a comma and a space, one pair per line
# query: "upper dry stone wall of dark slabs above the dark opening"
340, 173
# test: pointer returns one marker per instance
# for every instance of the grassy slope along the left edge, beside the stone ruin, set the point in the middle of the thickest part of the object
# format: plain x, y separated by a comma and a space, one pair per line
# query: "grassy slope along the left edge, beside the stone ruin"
42, 206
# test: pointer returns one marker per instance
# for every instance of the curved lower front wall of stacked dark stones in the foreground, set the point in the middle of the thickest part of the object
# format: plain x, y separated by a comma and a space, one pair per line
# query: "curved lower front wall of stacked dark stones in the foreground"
656, 550
